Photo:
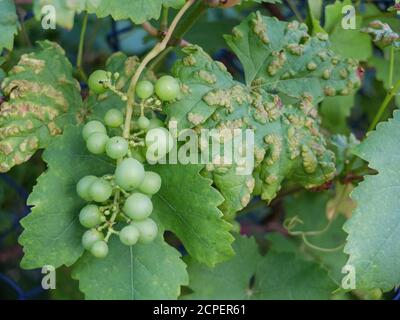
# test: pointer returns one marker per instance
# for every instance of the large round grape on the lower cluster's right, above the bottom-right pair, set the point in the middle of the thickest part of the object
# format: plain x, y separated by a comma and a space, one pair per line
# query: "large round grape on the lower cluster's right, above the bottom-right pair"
138, 206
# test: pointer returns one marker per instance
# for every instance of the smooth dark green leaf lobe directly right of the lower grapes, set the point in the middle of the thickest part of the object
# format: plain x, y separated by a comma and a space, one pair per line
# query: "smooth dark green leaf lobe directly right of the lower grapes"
187, 205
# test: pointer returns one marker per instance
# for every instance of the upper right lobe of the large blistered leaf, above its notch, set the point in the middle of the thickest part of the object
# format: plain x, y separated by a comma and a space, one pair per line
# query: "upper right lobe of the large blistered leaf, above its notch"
281, 57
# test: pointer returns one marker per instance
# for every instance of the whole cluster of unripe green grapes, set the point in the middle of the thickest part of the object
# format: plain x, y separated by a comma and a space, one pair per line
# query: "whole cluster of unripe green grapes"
125, 195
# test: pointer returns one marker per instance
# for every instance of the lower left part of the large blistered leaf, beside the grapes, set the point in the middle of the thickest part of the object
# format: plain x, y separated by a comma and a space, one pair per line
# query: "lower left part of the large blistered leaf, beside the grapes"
288, 144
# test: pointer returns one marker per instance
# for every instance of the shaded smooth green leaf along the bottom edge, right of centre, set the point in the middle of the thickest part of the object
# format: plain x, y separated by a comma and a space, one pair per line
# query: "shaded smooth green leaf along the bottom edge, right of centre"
276, 276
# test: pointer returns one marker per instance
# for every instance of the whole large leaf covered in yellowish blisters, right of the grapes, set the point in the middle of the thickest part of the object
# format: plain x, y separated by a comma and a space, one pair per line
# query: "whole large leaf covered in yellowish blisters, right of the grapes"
287, 74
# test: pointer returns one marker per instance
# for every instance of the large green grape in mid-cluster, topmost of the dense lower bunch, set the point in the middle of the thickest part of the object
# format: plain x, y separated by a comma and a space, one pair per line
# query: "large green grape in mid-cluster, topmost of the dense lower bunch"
129, 174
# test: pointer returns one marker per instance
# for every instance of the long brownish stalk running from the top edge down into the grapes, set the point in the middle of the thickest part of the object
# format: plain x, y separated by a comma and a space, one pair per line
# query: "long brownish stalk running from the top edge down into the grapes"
157, 49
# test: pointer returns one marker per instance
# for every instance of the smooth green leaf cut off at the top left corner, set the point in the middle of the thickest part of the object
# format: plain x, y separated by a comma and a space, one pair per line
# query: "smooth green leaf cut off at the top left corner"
8, 24
